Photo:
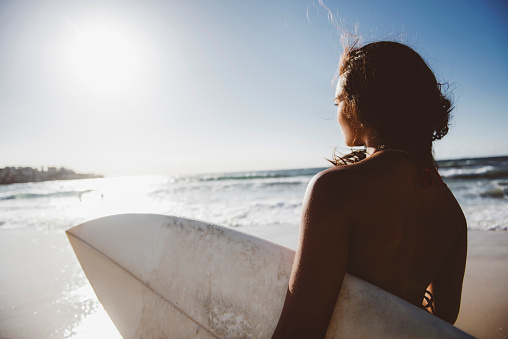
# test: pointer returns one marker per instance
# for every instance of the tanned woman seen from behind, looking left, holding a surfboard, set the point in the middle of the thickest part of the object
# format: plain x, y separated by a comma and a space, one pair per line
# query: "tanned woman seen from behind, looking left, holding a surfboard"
383, 213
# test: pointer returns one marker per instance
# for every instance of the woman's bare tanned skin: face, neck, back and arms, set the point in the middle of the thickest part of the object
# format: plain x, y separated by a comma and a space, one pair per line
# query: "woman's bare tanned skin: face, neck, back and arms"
375, 220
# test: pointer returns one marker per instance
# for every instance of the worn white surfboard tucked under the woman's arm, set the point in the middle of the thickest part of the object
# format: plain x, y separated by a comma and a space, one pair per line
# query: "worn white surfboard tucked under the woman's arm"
168, 277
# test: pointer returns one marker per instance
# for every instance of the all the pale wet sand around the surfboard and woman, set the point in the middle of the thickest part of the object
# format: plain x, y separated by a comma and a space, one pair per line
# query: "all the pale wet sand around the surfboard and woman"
44, 293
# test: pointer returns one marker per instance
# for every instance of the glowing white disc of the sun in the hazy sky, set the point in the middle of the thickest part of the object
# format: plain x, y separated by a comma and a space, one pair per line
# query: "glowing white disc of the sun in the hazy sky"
104, 59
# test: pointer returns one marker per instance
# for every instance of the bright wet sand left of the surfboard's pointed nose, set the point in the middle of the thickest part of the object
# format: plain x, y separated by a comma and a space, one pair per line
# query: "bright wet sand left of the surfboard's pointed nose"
43, 291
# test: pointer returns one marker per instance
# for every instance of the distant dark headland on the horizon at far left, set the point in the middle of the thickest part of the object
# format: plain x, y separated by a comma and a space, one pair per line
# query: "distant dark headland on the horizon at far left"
14, 175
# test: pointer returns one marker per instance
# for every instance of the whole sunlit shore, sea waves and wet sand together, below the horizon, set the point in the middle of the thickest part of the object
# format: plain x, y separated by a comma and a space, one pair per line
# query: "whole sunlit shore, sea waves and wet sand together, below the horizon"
45, 294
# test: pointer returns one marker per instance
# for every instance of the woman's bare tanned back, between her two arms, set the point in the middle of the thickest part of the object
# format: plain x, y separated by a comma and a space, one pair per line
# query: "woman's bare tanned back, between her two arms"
404, 230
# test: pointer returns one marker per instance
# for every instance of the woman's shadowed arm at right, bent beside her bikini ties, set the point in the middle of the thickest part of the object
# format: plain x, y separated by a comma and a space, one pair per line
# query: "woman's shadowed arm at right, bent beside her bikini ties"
447, 285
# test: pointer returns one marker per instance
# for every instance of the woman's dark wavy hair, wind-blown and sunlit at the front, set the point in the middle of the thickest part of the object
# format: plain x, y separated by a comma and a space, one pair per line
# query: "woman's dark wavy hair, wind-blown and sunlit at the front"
390, 88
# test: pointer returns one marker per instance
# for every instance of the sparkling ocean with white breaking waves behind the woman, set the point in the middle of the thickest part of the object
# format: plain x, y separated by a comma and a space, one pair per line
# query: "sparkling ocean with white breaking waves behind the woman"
259, 198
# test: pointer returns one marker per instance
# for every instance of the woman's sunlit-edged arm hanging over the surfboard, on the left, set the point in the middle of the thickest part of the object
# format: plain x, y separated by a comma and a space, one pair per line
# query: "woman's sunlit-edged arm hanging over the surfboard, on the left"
320, 263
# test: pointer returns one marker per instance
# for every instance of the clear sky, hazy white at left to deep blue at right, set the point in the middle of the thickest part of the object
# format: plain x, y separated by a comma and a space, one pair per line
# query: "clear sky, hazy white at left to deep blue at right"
197, 86
